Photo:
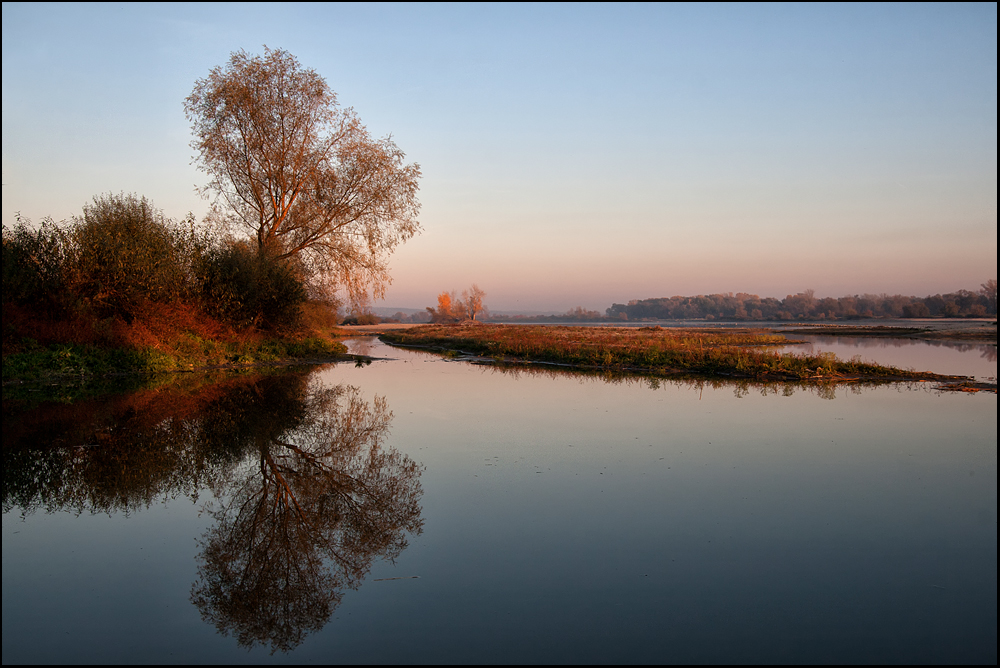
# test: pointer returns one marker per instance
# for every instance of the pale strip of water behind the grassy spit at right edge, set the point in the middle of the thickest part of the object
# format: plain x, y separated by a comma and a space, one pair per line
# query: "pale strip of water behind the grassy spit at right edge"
944, 357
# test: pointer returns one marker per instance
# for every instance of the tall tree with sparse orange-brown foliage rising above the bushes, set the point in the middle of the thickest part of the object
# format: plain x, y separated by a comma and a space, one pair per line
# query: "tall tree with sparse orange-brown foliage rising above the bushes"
299, 173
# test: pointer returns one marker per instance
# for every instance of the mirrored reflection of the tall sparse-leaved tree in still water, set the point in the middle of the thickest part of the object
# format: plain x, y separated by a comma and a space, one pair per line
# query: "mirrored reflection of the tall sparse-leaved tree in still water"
304, 519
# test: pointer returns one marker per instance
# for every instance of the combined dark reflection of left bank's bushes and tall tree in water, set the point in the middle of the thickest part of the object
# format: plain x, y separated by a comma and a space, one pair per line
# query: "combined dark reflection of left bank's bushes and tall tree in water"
305, 495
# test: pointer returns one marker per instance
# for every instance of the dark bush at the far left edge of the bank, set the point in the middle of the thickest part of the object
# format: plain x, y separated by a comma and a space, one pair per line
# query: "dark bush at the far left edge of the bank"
34, 264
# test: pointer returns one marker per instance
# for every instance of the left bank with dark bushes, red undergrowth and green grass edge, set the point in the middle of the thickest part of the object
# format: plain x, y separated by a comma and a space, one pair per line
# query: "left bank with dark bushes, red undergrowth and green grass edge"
124, 290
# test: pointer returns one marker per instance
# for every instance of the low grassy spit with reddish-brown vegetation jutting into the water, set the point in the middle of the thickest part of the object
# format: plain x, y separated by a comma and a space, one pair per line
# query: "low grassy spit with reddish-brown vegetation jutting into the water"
741, 352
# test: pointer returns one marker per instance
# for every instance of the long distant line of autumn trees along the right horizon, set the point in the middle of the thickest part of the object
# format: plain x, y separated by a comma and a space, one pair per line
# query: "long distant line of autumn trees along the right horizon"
806, 306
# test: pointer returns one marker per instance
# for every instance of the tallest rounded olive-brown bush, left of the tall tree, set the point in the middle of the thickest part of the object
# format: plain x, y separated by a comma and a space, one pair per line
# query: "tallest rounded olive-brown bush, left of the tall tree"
125, 255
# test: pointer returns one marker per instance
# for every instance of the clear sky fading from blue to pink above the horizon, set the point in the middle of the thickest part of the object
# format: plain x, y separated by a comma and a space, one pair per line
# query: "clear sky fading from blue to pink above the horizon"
572, 155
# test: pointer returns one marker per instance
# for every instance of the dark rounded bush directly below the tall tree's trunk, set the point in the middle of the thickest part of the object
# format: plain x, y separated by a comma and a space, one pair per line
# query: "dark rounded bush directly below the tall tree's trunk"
248, 288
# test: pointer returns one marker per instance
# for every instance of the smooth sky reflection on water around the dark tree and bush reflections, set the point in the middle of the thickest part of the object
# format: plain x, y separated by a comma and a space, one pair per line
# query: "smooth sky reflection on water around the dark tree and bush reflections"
571, 519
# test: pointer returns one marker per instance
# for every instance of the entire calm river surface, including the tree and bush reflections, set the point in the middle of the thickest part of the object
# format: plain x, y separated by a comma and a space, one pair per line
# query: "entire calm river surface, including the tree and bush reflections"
425, 510
